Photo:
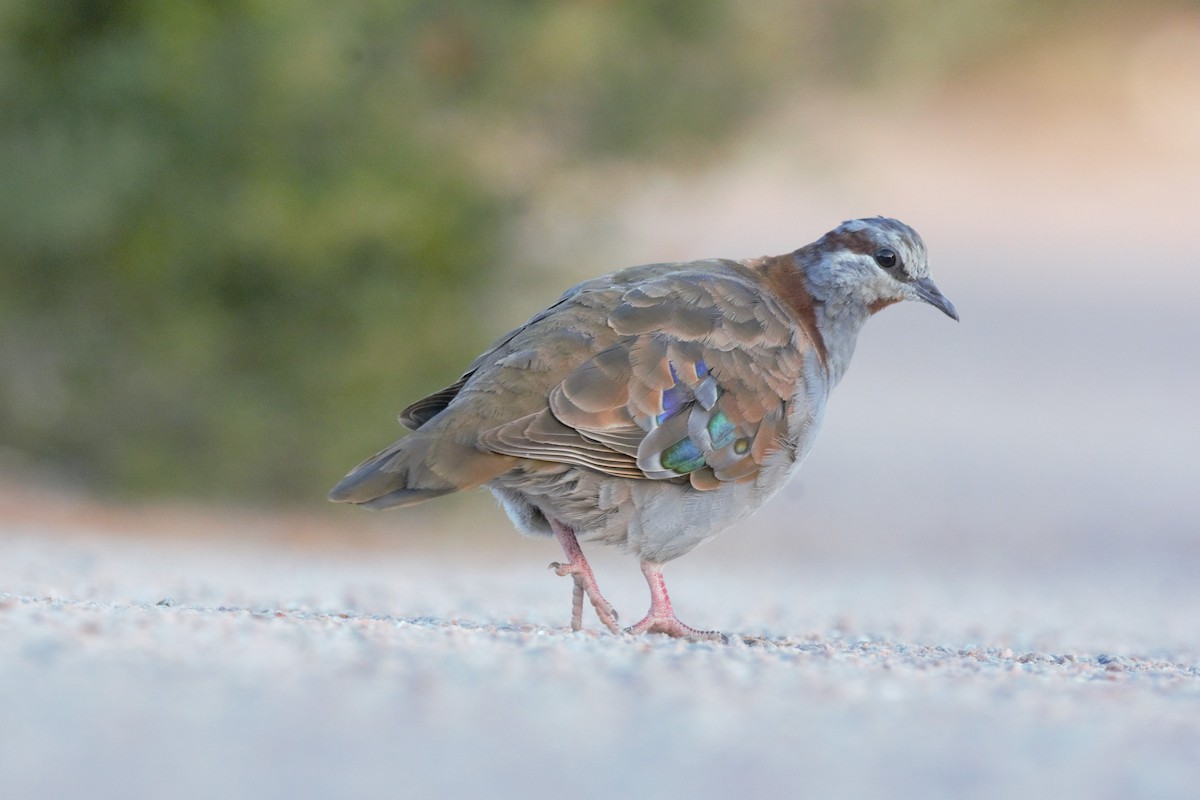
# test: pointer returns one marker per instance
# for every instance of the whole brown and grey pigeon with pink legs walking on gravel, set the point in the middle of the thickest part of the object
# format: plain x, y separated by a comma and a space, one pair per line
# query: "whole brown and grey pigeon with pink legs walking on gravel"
653, 407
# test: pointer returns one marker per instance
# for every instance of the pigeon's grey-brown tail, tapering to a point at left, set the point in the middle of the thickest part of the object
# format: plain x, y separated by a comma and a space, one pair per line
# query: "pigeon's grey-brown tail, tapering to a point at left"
419, 467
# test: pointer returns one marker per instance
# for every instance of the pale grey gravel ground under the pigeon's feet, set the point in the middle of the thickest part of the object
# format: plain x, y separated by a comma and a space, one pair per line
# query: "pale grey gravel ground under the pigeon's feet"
247, 665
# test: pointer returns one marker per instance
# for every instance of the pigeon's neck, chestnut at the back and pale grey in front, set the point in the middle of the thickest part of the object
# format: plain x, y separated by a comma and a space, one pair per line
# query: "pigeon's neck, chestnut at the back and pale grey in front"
829, 317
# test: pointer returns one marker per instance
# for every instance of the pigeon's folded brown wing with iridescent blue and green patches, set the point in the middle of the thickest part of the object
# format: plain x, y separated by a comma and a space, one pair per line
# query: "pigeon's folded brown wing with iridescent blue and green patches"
694, 377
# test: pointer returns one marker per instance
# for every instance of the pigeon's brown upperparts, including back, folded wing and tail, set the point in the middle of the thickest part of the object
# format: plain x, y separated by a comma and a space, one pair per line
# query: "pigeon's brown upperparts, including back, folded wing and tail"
667, 371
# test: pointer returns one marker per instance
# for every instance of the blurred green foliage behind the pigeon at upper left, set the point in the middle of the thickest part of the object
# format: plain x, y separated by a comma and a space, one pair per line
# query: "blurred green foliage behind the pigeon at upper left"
236, 236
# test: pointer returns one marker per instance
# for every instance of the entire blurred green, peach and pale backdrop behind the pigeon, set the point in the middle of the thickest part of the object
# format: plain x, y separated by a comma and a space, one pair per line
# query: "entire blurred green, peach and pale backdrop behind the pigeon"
238, 237
